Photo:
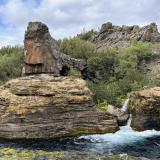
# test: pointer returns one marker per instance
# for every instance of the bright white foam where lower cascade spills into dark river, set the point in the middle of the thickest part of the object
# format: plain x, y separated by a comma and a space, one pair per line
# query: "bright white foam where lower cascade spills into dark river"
126, 135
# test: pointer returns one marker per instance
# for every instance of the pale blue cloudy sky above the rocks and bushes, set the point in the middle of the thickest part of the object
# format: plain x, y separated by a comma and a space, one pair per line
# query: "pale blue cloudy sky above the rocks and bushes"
66, 18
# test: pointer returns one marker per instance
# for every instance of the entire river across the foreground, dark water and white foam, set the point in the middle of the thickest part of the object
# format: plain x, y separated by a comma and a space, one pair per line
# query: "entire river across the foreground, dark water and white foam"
145, 144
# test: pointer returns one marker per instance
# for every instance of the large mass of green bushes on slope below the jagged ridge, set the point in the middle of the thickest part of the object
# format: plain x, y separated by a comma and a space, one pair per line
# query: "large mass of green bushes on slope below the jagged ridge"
113, 72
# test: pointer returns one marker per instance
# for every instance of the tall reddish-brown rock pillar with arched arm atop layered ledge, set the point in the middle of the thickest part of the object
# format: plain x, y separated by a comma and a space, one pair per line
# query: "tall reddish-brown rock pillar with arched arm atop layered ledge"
42, 54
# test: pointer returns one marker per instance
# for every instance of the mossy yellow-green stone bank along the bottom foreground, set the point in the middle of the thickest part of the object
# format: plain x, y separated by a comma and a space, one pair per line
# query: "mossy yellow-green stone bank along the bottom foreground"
15, 154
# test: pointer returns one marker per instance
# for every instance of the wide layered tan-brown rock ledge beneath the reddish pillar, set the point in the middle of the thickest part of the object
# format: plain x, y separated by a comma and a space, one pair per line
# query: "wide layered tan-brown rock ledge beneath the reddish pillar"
48, 107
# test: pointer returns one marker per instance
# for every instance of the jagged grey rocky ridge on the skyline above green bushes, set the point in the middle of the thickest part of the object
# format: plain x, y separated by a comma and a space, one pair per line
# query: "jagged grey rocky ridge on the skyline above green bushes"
116, 36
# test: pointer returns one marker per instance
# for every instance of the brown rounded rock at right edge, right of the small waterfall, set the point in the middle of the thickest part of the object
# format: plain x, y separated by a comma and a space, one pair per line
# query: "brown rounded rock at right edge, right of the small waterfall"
145, 109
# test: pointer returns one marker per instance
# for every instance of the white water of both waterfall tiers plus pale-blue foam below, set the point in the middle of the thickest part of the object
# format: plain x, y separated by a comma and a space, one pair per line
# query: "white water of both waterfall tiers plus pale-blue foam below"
125, 136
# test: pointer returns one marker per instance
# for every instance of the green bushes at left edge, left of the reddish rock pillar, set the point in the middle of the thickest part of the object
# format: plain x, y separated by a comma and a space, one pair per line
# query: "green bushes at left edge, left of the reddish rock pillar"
11, 59
